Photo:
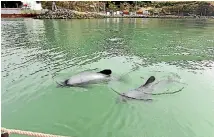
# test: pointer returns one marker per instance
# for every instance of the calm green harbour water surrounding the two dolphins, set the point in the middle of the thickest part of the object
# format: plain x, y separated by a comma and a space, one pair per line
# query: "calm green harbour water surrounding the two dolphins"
32, 51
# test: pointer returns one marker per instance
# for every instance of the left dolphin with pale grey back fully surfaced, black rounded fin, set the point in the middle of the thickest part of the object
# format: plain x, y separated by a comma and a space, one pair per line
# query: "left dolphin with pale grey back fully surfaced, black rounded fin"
87, 77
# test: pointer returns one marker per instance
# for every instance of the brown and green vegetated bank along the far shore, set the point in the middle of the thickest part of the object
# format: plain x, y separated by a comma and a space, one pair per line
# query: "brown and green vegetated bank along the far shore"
161, 8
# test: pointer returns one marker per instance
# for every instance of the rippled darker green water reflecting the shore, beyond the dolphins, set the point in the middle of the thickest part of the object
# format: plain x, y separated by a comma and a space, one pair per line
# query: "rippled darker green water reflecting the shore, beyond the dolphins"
61, 44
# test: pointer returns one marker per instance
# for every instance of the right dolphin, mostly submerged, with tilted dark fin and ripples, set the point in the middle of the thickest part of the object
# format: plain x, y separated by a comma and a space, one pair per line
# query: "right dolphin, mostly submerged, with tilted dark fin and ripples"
142, 92
